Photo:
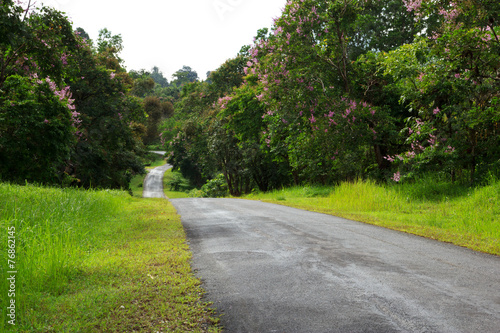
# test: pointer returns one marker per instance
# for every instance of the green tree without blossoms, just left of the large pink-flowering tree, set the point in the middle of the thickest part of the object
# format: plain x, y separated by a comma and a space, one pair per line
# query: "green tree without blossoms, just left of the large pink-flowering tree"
236, 137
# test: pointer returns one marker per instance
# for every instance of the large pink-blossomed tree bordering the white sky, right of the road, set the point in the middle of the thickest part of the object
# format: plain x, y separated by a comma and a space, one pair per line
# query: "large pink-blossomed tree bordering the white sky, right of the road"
315, 121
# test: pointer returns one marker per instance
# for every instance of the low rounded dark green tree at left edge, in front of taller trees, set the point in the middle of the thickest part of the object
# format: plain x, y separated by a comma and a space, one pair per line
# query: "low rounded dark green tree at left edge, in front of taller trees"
36, 132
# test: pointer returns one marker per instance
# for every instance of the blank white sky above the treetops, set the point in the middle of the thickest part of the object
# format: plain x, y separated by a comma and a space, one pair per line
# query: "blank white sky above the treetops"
201, 34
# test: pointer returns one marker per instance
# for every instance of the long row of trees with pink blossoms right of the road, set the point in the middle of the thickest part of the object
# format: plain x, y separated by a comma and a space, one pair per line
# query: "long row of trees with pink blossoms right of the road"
340, 90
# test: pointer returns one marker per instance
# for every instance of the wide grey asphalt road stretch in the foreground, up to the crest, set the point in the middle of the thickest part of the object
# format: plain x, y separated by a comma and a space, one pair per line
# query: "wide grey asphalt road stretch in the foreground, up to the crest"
270, 268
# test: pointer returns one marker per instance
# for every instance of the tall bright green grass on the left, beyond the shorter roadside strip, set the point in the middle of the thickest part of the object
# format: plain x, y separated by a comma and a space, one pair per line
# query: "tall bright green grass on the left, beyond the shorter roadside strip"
55, 230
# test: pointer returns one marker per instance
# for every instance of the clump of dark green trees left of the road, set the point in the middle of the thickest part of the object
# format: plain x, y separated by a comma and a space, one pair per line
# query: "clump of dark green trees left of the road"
63, 104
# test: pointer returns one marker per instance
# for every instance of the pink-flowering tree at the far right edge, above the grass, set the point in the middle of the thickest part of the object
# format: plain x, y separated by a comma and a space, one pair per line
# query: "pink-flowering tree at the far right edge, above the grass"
451, 81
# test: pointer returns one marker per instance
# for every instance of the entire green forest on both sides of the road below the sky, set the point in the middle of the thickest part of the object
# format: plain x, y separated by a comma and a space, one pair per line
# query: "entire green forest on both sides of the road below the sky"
335, 91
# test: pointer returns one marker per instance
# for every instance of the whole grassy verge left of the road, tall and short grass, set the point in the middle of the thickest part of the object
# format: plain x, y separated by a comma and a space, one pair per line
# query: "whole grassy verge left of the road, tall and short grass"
98, 261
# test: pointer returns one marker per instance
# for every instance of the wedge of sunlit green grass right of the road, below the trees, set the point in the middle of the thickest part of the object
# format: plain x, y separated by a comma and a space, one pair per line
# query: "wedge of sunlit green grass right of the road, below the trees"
468, 217
